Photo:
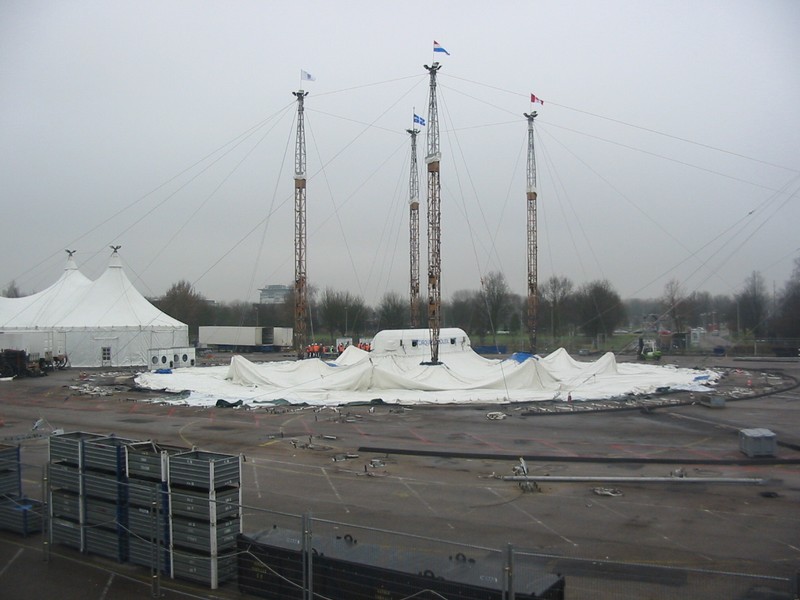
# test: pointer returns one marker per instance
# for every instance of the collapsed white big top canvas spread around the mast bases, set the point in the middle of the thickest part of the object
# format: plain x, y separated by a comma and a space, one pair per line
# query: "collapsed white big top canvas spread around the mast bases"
395, 372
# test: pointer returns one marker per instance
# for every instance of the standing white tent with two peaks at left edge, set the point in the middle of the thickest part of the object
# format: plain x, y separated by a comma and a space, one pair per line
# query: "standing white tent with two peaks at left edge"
95, 323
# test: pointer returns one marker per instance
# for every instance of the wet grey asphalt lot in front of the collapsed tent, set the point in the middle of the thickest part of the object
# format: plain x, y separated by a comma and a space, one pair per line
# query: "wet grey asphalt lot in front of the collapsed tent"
434, 472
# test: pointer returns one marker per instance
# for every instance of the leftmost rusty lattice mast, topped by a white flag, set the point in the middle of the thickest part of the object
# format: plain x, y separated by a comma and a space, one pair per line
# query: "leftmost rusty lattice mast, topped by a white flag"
300, 237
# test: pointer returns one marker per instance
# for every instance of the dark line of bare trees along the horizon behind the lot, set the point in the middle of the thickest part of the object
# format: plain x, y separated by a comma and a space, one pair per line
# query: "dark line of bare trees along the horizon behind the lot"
564, 309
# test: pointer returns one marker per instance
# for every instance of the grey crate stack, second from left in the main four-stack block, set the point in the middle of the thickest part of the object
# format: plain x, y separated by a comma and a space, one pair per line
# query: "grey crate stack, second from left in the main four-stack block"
105, 485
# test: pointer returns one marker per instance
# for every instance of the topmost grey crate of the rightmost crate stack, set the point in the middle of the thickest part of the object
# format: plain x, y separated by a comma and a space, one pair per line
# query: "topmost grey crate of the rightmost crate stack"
204, 470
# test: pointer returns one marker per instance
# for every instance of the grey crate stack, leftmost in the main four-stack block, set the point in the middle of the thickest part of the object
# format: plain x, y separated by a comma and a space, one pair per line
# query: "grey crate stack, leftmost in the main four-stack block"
66, 484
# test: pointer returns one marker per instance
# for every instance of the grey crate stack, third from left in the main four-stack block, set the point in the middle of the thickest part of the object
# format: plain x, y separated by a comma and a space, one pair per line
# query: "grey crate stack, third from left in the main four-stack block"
148, 504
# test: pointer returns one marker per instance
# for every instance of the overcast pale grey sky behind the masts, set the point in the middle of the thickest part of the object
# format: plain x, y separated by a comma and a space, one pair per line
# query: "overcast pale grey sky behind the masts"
667, 145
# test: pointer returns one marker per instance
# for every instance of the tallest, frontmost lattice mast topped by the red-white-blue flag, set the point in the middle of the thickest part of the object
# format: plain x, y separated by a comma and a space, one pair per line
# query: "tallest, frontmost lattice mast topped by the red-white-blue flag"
432, 158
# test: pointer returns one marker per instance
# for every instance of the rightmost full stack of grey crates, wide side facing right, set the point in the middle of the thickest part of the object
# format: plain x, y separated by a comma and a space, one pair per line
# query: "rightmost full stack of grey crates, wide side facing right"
205, 496
